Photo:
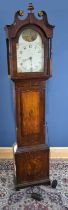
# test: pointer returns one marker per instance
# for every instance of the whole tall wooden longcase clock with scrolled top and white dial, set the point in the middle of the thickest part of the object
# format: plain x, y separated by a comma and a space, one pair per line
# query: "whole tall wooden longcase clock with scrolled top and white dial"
29, 55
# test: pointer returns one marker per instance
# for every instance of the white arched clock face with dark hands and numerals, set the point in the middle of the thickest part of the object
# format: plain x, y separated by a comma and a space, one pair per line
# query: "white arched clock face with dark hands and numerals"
30, 52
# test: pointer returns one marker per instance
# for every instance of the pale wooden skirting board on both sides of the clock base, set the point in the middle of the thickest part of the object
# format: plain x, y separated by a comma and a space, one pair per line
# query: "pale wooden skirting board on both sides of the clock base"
55, 152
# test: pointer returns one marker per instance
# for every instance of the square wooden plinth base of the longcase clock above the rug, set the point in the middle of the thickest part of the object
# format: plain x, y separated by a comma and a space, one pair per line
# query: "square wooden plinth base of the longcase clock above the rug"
32, 166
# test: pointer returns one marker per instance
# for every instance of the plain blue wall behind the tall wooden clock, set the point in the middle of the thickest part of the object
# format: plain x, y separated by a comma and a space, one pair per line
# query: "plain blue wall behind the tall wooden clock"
57, 86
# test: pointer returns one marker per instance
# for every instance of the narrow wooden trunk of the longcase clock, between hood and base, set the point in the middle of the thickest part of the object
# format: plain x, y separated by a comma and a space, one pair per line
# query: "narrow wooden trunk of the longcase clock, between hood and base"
30, 112
